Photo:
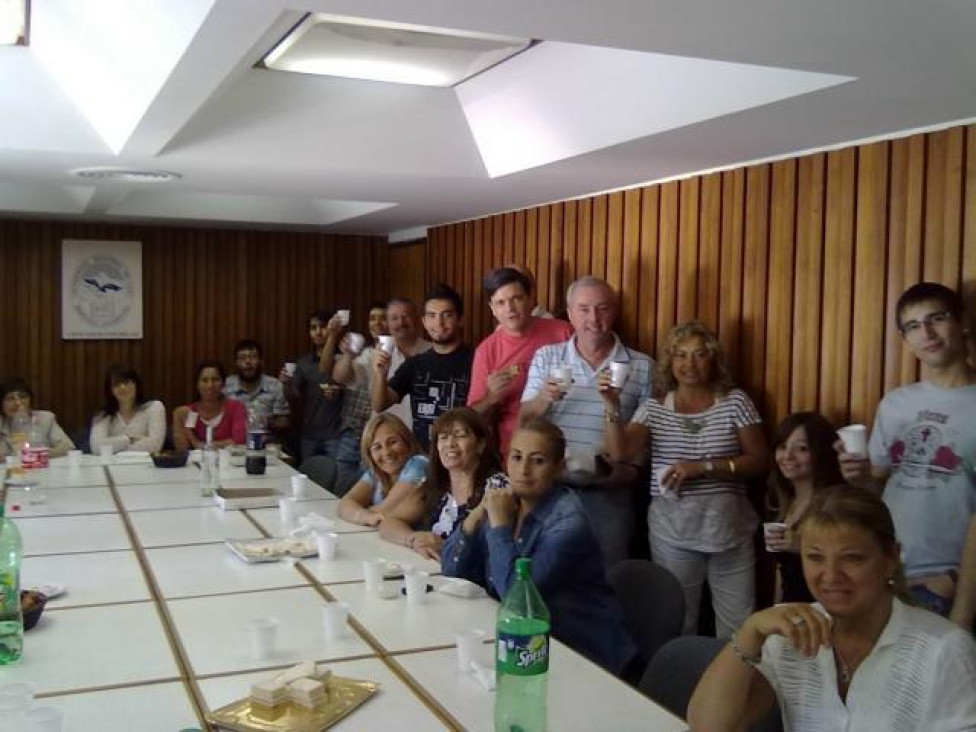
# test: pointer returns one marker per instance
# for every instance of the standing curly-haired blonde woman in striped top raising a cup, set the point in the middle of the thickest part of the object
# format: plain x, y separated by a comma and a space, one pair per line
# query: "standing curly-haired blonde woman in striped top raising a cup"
705, 440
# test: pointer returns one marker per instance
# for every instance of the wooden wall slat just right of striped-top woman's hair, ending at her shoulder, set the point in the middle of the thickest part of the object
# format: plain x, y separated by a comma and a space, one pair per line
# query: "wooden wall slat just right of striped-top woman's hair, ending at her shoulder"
749, 371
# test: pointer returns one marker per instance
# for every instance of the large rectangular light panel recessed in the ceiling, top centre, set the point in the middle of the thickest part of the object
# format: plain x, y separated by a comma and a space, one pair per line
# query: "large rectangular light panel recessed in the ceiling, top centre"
393, 52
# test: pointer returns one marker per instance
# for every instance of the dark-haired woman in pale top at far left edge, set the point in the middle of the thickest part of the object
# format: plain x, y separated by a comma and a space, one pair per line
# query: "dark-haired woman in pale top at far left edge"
20, 423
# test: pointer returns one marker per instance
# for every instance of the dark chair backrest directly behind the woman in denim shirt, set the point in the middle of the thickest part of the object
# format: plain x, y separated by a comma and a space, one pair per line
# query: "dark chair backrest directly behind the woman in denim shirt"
652, 600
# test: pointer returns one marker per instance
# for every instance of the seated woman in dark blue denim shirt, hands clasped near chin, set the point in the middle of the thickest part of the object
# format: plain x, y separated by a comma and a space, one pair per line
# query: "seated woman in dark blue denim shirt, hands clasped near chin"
535, 516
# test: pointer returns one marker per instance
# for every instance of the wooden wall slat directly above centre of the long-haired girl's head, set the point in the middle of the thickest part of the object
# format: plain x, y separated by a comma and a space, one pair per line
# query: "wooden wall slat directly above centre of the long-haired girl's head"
807, 302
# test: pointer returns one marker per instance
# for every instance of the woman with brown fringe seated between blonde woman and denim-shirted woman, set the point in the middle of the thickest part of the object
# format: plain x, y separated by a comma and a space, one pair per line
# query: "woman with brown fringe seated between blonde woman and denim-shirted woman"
461, 462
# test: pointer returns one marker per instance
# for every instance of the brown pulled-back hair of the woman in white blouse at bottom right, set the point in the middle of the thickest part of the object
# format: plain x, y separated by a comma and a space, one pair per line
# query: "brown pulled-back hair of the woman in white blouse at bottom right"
860, 508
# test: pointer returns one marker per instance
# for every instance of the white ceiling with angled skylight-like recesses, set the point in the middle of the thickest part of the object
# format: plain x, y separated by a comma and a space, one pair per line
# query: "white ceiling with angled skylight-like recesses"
617, 94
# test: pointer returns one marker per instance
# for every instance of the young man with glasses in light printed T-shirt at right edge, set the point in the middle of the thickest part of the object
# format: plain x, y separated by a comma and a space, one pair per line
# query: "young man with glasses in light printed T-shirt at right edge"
923, 451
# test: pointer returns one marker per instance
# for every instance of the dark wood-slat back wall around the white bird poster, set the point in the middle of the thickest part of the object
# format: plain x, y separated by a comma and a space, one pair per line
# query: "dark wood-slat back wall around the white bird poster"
204, 290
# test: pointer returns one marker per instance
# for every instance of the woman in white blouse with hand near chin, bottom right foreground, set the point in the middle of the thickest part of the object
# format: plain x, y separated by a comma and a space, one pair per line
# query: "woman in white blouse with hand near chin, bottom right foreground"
859, 659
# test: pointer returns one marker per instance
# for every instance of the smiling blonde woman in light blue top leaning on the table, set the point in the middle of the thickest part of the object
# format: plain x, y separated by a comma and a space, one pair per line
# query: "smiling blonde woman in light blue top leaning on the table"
391, 486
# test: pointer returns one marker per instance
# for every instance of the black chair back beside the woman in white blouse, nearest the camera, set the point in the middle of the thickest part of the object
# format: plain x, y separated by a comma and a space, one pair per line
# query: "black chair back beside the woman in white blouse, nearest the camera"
673, 674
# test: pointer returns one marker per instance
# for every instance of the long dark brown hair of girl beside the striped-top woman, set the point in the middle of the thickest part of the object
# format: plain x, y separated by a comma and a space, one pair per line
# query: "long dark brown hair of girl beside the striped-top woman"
821, 437
